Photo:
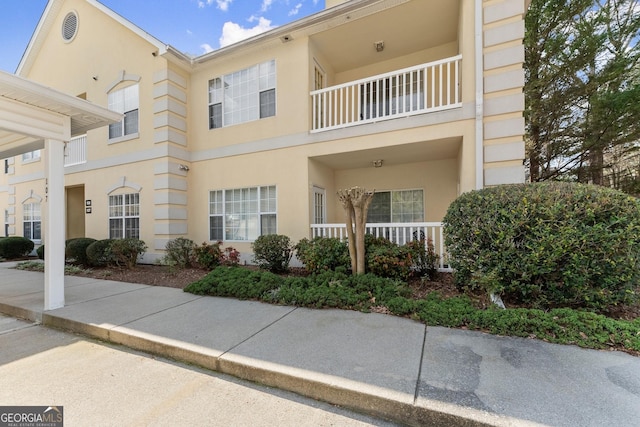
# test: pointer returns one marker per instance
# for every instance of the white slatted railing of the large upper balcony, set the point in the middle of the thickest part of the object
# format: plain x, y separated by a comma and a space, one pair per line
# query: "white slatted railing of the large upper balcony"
419, 89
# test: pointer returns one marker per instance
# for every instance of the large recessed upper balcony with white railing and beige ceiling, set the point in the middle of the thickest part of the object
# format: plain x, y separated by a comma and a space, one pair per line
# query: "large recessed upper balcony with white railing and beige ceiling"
387, 60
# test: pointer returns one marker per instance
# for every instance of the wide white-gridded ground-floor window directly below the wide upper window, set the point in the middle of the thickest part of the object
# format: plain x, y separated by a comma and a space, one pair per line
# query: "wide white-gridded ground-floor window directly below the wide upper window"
242, 214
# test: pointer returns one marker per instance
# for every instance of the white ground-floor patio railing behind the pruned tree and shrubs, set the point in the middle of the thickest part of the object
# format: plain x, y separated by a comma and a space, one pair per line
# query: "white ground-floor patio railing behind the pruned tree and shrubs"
399, 233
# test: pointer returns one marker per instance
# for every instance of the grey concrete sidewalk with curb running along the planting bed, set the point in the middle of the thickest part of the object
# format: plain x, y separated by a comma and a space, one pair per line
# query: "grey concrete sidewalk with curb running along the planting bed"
382, 365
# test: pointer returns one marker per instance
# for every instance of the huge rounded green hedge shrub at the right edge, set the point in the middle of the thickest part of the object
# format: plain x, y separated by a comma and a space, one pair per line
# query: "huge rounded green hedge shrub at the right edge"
547, 244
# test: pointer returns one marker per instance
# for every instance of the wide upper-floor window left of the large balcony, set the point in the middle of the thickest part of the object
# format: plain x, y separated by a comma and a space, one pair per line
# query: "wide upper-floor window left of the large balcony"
243, 96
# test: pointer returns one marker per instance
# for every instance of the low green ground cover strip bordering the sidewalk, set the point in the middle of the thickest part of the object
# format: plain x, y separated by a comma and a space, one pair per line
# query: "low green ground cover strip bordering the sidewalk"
331, 289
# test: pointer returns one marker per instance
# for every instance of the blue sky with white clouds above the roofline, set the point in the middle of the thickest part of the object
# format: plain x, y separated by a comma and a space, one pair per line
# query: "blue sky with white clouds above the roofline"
192, 26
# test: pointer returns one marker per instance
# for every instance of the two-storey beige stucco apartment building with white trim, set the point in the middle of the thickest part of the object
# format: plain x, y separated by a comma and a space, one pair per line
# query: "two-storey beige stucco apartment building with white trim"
420, 100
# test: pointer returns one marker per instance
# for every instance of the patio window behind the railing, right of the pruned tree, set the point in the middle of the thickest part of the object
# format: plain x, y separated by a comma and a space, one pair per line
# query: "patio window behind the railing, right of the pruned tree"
396, 206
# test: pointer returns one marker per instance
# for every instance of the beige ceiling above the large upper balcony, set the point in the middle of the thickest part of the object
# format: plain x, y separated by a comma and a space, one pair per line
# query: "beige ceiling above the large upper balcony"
405, 29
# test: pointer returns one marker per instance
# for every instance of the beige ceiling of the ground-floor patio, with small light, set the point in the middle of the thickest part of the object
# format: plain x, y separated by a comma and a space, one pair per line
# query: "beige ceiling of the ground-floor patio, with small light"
447, 148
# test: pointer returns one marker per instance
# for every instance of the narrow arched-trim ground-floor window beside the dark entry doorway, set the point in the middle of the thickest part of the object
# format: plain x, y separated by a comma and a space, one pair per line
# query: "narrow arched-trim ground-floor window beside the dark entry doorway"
124, 216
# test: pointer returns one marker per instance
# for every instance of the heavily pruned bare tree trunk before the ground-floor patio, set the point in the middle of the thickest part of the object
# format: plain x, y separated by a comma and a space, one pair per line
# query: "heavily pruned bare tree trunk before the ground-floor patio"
355, 202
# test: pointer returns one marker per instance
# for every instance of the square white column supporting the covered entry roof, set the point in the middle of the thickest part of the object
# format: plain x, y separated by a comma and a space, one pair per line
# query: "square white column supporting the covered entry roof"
54, 225
